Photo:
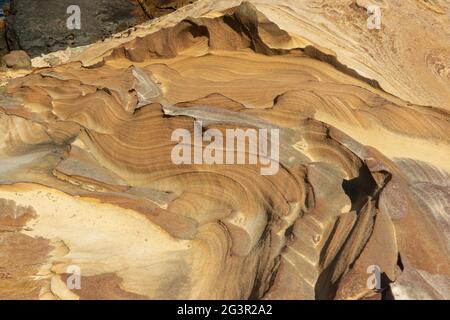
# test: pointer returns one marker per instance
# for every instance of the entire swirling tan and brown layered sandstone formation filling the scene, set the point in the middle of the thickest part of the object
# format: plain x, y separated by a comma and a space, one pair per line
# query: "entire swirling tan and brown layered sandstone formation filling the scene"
89, 182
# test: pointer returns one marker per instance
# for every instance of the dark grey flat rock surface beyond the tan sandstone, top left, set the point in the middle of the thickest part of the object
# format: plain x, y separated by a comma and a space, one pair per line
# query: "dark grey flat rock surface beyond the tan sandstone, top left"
41, 26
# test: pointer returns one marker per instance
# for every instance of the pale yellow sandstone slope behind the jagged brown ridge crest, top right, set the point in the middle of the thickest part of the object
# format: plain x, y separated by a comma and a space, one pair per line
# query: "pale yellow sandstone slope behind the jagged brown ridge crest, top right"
391, 57
